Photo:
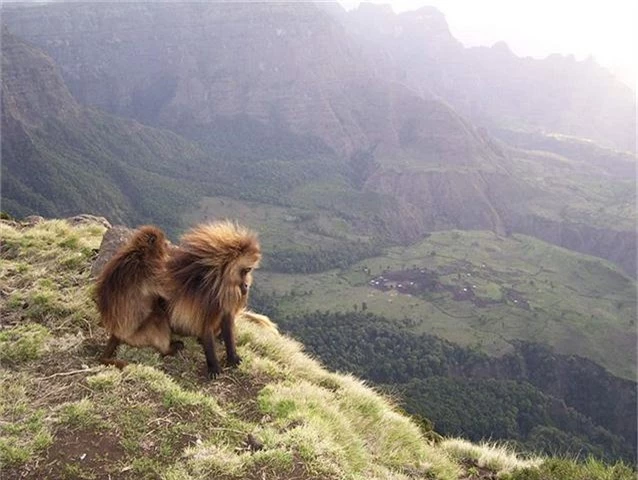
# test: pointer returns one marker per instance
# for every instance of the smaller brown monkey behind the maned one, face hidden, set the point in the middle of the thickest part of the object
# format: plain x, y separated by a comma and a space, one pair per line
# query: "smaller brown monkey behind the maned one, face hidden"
130, 295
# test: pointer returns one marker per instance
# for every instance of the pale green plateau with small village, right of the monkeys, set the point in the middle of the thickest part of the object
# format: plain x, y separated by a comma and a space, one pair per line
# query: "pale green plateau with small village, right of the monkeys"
476, 288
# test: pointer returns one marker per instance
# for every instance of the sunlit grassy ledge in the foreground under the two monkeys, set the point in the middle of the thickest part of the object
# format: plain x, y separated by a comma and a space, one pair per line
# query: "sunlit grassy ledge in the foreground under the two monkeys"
280, 415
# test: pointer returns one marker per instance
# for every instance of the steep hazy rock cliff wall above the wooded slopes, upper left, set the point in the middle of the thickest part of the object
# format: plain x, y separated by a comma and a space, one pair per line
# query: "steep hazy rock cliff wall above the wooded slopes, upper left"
185, 66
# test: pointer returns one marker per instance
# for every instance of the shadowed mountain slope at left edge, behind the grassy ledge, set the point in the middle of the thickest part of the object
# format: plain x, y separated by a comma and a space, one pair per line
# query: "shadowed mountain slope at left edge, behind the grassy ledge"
61, 158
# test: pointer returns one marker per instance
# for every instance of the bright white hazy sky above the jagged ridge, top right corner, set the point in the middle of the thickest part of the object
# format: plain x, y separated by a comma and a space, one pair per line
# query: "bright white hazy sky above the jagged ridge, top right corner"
606, 30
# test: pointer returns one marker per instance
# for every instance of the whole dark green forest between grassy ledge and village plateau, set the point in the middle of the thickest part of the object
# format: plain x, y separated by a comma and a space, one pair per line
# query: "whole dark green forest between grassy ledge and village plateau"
438, 380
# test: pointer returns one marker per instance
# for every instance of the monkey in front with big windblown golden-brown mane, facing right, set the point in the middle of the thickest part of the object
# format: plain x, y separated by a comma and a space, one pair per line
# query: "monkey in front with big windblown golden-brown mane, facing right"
208, 282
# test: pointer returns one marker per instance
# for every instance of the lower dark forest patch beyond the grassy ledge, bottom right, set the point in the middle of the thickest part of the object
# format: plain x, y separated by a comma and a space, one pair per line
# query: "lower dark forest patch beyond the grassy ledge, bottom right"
511, 410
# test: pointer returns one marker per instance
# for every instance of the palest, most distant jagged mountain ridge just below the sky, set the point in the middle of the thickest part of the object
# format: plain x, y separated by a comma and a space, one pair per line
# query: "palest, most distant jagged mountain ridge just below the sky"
493, 86
